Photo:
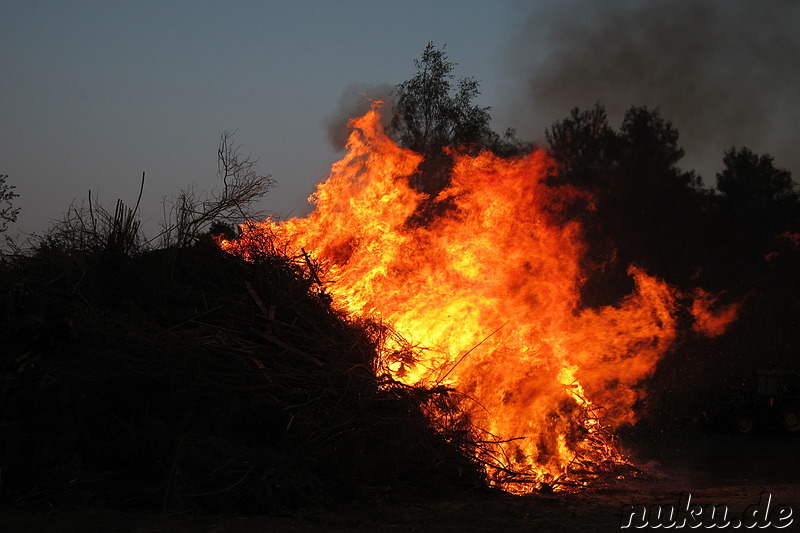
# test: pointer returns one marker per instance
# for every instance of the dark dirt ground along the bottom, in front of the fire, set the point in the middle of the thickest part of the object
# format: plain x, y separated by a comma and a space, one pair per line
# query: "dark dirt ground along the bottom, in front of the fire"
715, 468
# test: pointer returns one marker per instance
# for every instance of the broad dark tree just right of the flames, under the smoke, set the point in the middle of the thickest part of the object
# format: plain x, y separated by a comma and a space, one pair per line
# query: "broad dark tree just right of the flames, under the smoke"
645, 208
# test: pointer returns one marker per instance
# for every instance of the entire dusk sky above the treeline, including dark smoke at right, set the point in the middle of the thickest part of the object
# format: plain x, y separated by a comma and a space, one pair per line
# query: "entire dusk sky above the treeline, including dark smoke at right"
93, 93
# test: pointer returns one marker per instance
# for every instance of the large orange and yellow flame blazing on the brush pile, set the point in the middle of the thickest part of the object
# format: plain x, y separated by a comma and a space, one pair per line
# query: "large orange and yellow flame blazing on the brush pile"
490, 291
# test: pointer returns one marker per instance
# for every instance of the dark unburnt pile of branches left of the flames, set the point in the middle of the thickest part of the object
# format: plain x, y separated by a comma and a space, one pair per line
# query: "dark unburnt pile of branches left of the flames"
187, 378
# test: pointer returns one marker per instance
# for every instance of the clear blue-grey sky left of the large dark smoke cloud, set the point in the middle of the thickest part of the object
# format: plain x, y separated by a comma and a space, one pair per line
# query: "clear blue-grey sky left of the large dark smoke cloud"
94, 93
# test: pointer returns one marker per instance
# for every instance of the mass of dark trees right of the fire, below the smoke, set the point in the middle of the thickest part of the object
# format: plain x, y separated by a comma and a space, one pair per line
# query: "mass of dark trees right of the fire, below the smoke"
741, 242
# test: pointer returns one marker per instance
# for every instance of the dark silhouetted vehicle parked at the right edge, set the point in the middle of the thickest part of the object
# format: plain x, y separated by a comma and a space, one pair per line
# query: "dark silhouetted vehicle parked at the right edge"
774, 406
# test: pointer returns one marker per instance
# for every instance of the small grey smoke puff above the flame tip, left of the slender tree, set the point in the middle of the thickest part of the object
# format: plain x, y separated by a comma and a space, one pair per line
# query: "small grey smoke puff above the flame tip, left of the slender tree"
355, 101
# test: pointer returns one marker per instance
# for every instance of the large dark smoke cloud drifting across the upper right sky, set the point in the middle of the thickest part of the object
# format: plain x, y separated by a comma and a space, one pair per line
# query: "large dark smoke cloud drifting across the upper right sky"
724, 72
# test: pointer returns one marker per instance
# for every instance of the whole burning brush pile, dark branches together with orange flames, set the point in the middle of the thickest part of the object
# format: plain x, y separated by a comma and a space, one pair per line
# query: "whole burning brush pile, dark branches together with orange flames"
362, 349
